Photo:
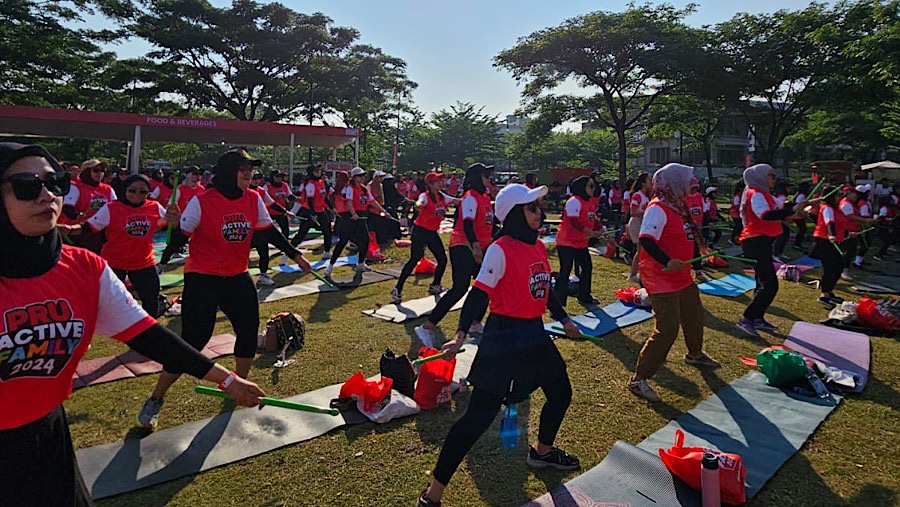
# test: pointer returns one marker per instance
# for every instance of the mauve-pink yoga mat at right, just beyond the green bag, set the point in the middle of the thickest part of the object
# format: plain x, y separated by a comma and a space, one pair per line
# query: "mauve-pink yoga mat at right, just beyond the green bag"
840, 349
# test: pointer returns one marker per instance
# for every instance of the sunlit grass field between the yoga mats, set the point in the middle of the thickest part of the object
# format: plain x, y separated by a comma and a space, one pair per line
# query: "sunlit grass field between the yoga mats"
852, 459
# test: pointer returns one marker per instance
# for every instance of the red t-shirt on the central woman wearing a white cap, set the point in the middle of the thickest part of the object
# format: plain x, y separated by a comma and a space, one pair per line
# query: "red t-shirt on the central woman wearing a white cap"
516, 278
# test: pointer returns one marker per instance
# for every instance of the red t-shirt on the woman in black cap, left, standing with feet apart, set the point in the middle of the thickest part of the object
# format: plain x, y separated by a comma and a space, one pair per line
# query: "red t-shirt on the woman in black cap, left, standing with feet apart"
220, 230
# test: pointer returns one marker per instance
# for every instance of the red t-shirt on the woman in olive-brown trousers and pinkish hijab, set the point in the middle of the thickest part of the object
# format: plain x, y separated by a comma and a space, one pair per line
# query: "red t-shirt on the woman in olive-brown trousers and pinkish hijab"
665, 226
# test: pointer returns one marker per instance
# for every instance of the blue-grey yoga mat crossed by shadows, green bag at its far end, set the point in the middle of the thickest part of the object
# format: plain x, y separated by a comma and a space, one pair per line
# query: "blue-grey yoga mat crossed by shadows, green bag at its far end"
763, 424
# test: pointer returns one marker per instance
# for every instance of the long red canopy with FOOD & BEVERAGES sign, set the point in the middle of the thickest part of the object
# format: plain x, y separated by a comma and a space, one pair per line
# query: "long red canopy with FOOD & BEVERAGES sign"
137, 128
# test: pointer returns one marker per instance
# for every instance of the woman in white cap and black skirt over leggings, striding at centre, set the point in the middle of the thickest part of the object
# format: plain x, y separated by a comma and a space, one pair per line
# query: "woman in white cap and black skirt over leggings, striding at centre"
515, 356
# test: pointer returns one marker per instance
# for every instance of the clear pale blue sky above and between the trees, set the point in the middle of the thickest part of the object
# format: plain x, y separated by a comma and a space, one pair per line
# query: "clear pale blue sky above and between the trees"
449, 45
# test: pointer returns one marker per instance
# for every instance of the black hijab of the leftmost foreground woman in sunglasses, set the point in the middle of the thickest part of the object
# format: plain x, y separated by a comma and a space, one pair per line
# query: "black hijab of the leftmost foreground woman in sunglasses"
25, 256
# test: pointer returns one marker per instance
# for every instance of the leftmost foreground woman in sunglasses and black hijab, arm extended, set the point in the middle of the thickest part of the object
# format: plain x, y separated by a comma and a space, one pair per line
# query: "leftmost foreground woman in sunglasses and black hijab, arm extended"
45, 285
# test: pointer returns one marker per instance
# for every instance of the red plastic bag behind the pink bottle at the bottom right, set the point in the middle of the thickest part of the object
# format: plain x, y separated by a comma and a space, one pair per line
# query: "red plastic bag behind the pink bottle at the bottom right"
684, 462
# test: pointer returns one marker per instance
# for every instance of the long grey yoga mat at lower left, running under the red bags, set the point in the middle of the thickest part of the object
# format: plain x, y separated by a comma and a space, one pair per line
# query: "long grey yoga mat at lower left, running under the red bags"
165, 455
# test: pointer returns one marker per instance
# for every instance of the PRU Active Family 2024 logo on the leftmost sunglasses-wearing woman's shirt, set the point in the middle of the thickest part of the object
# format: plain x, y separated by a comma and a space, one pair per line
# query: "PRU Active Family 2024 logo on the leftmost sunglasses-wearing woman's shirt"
39, 340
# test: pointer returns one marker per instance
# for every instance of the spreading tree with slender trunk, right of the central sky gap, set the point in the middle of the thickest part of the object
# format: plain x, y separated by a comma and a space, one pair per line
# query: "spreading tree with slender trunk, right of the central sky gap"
633, 58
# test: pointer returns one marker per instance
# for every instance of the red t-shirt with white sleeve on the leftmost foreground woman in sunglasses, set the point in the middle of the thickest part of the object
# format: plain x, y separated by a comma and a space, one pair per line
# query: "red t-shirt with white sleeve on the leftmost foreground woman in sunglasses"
47, 326
